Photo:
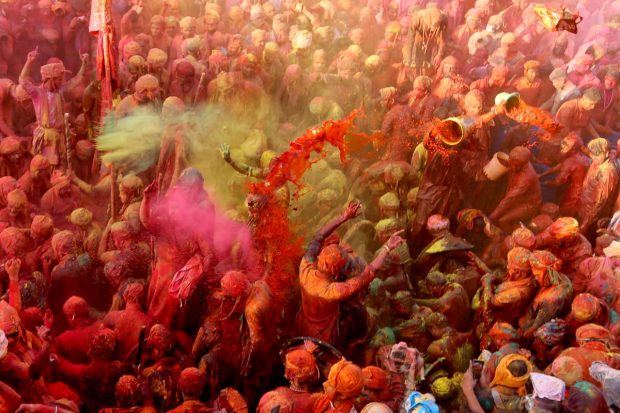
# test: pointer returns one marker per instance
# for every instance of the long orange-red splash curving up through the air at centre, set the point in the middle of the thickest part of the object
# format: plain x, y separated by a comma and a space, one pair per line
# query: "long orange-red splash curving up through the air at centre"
273, 233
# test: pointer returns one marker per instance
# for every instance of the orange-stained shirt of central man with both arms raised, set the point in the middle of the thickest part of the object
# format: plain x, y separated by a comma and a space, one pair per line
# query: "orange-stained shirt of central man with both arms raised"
320, 300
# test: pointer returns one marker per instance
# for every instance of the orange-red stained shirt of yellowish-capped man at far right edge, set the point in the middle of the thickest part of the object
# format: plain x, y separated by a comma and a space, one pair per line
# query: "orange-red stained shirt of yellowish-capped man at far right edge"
598, 192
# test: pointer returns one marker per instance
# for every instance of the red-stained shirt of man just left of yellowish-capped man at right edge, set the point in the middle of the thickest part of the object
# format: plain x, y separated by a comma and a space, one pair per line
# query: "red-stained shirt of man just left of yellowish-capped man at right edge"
573, 170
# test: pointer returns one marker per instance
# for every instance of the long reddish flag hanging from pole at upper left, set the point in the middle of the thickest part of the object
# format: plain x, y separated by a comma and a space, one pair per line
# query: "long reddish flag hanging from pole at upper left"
101, 25
